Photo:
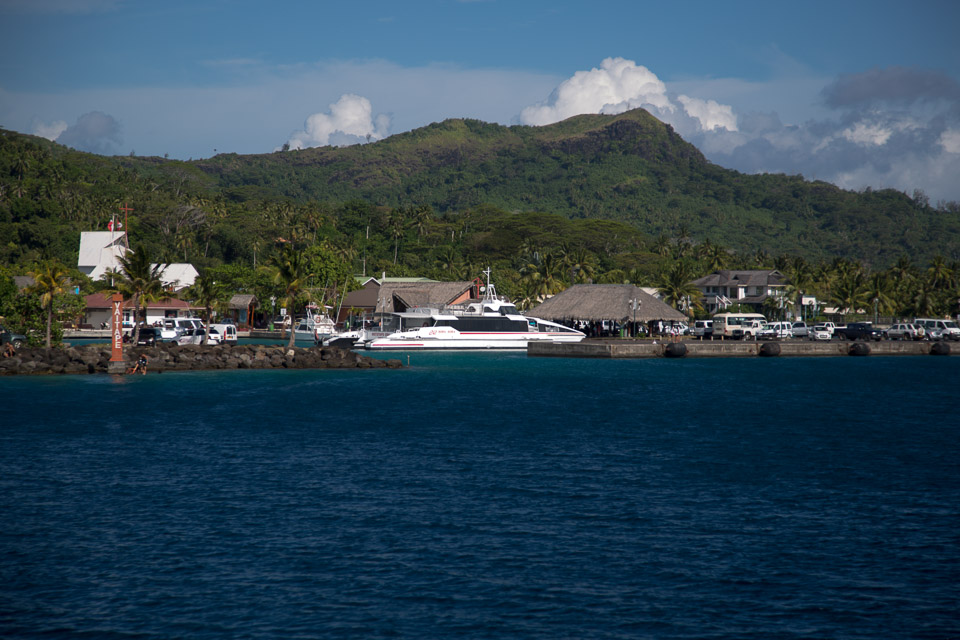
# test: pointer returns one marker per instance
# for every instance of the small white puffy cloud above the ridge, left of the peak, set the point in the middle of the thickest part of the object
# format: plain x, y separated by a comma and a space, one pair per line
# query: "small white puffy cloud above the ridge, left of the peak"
350, 121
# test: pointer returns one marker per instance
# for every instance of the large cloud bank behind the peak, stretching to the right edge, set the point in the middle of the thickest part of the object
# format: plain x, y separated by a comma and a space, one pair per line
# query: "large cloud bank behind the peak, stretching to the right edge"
883, 128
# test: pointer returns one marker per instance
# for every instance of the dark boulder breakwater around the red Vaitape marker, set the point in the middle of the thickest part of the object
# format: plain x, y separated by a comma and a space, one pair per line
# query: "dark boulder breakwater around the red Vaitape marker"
171, 357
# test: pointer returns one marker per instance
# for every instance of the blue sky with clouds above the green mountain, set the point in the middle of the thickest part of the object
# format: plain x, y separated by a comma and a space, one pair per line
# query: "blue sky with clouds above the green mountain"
857, 93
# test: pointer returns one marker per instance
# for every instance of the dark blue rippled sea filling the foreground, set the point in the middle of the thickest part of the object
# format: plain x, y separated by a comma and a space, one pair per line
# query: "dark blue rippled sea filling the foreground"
486, 495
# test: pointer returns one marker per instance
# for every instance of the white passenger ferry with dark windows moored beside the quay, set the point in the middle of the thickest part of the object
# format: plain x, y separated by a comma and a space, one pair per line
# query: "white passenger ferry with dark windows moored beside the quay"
491, 323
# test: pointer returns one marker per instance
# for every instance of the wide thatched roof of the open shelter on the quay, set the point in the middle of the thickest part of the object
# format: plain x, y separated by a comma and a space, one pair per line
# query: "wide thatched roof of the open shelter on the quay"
600, 302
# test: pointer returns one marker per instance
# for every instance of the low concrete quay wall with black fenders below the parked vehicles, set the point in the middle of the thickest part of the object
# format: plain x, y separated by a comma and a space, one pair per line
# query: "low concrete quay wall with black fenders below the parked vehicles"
735, 349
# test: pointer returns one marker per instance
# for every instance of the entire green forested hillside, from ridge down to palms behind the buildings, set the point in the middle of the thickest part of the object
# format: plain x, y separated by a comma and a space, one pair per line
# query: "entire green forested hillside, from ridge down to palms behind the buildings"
593, 198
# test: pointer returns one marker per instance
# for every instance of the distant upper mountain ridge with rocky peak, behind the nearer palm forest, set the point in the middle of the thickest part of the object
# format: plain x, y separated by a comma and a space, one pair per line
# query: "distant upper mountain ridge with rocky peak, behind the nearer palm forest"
630, 168
